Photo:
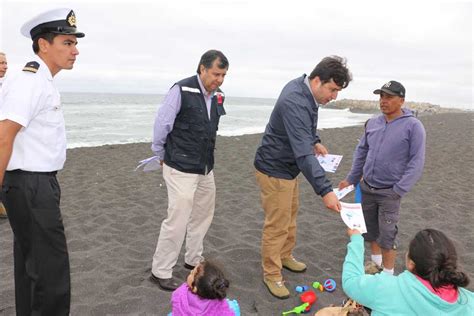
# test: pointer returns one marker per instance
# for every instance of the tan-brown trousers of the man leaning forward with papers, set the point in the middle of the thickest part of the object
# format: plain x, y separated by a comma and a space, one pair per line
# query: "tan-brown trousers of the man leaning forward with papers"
280, 204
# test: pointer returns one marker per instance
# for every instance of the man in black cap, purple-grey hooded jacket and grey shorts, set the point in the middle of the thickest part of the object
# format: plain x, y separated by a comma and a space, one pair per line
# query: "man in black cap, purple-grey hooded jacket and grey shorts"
389, 159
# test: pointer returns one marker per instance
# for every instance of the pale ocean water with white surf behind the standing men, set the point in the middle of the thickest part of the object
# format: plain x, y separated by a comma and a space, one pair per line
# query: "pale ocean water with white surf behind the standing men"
94, 119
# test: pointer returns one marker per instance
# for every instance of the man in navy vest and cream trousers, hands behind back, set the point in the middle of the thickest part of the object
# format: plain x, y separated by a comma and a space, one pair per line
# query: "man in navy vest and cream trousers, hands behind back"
184, 139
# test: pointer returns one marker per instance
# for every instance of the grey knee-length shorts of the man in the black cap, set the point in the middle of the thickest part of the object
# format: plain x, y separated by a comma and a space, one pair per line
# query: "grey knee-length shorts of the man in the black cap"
381, 209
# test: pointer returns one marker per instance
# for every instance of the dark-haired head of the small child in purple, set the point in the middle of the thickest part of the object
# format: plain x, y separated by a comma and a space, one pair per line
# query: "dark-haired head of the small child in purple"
210, 281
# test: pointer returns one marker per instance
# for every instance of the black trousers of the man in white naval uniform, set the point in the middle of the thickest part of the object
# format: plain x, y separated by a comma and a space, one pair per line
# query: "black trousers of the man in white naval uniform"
42, 278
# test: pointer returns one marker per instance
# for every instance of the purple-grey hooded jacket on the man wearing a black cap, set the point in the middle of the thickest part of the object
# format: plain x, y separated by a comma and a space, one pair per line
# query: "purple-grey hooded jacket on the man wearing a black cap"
390, 155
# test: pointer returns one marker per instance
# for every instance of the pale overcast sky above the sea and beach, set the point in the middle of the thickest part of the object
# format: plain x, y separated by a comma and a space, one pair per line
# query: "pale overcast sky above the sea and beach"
146, 46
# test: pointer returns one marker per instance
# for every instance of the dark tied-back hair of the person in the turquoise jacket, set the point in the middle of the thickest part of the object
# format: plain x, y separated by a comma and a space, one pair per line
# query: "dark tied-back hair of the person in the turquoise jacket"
435, 259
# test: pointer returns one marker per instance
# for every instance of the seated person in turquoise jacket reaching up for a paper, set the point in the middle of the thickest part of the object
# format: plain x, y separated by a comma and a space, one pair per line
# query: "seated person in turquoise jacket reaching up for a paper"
431, 285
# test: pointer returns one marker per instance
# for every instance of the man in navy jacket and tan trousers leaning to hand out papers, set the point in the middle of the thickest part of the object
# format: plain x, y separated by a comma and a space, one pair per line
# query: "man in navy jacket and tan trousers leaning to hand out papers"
288, 147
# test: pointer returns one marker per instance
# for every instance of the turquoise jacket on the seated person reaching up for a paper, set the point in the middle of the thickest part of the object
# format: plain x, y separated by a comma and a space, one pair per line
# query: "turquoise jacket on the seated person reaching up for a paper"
392, 295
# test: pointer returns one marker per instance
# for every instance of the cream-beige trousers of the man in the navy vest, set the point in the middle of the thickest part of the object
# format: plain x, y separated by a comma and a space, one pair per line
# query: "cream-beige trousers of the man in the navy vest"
191, 204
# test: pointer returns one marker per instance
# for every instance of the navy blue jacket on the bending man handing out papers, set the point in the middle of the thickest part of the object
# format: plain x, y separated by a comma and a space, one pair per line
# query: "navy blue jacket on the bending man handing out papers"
287, 146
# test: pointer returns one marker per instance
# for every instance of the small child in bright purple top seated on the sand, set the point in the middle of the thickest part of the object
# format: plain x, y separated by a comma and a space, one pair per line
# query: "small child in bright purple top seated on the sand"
204, 294
